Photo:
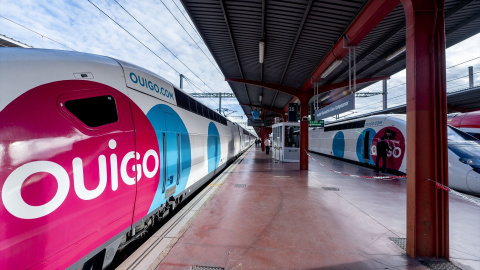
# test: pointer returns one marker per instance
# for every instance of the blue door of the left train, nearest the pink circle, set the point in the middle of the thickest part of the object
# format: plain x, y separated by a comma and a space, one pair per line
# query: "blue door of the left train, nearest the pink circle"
171, 145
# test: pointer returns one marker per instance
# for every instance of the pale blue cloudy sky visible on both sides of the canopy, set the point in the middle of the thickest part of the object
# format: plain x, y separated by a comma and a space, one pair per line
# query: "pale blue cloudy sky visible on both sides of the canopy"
161, 37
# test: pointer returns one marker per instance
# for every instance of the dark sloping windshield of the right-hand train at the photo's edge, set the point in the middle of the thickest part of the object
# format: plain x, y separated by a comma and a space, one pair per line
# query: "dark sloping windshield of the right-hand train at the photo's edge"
466, 147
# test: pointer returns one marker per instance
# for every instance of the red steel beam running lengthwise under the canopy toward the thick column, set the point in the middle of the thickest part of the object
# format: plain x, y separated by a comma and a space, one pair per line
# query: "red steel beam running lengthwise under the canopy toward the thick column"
370, 16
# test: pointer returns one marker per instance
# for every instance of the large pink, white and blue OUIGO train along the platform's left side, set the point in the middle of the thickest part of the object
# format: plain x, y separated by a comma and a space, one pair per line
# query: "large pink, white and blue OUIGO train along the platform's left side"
93, 151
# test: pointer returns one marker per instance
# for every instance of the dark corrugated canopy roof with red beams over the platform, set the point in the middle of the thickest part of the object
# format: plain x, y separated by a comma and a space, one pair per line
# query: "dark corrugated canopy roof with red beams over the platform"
304, 37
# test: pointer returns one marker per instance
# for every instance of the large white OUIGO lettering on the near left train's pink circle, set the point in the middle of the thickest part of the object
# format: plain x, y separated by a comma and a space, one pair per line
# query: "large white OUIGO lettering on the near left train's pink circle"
16, 205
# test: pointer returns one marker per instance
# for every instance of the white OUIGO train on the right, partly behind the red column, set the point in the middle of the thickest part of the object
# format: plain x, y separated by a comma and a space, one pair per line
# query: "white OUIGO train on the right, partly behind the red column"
356, 140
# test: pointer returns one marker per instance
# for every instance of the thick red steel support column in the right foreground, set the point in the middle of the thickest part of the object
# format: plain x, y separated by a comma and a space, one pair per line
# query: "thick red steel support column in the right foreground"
427, 156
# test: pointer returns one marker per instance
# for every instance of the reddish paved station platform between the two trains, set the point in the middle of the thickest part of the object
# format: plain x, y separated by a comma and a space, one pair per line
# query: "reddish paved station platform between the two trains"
267, 215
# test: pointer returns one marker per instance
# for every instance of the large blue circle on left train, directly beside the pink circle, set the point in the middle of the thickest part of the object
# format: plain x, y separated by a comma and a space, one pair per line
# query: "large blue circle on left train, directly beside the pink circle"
175, 160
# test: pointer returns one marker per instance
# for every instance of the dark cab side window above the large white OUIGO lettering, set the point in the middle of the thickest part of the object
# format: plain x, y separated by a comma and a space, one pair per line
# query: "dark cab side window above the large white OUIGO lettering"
94, 111
